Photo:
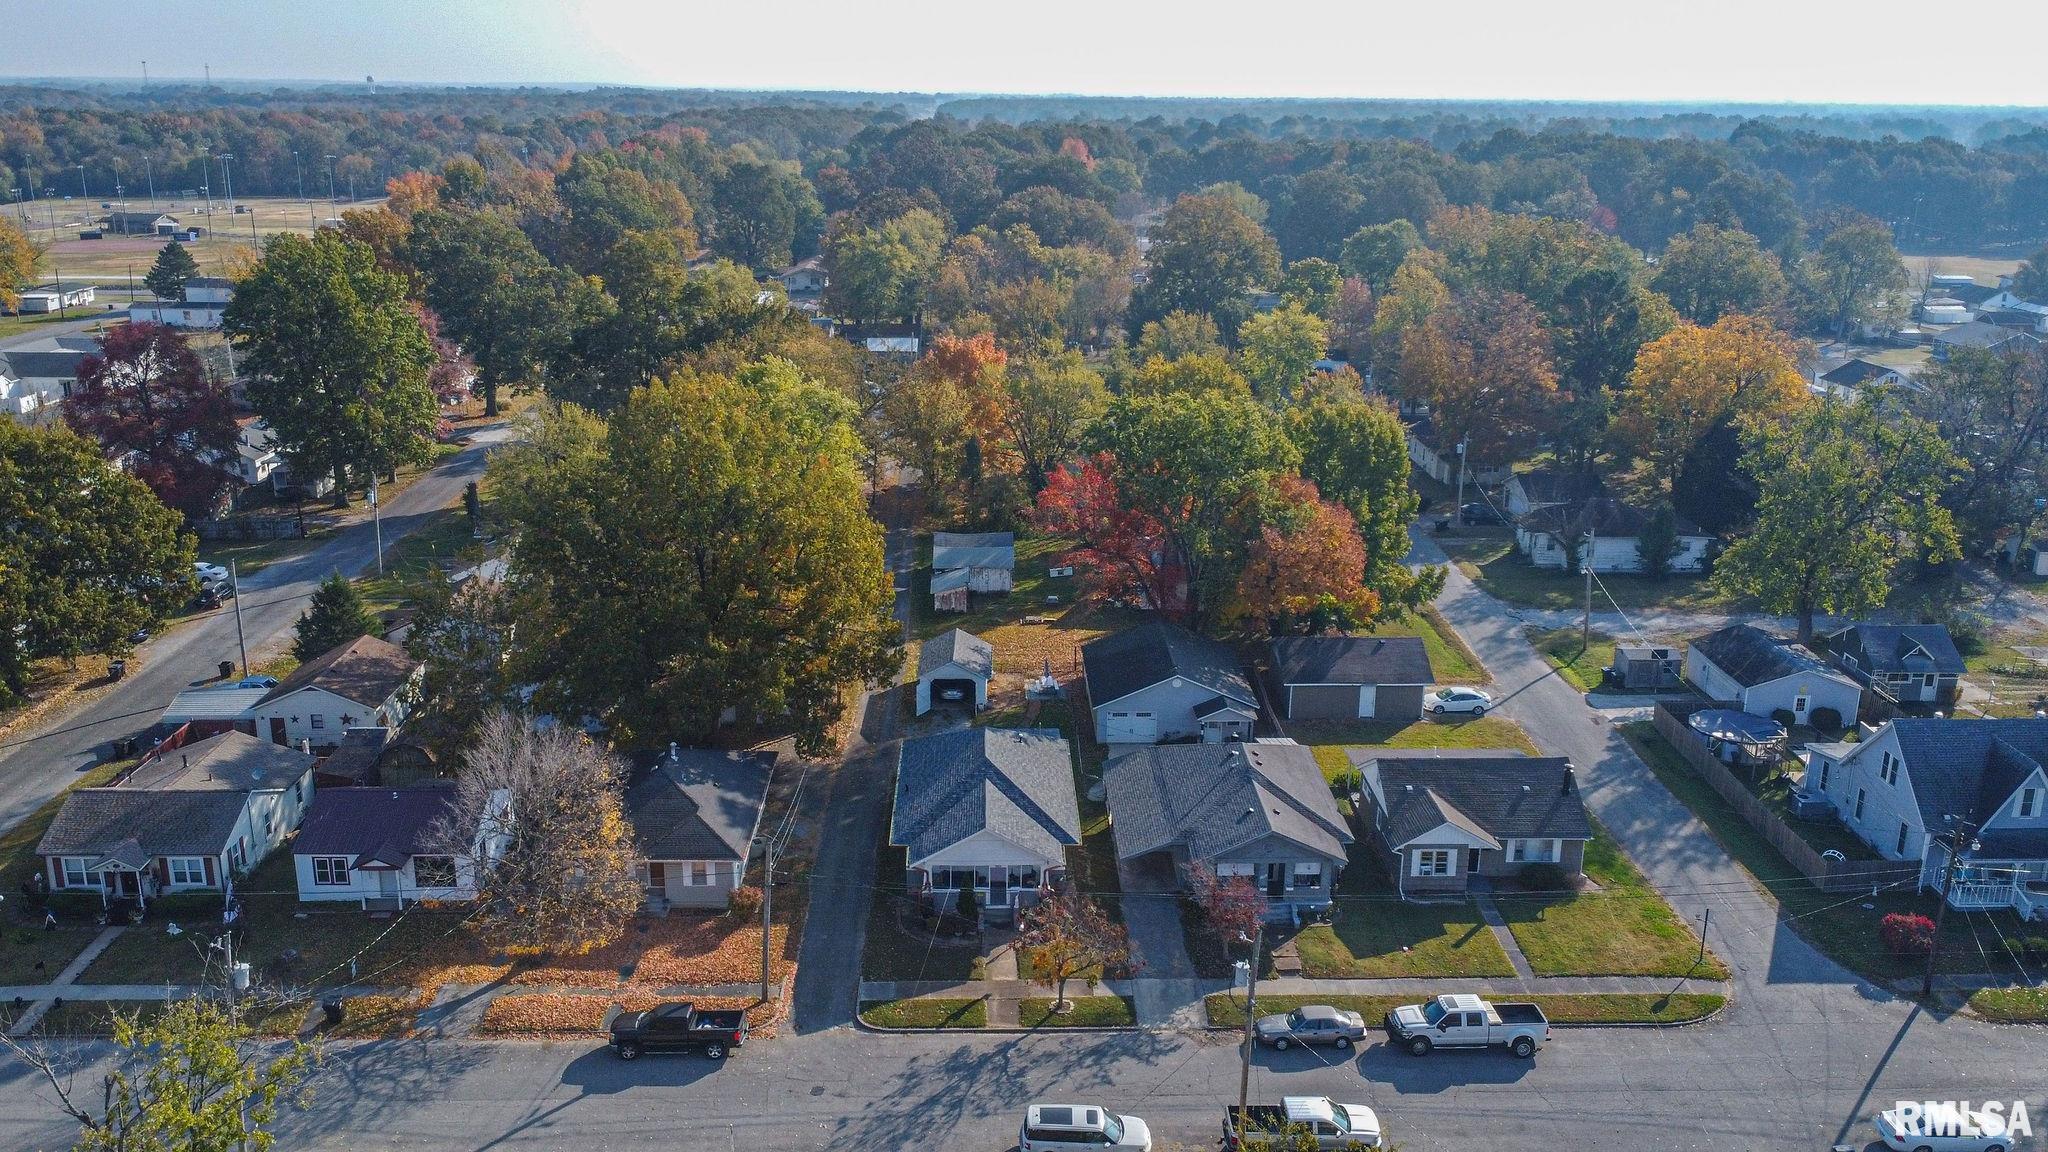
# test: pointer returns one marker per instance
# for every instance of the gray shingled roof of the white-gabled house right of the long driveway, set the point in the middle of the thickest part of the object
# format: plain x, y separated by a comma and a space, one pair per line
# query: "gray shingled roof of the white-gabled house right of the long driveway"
1013, 782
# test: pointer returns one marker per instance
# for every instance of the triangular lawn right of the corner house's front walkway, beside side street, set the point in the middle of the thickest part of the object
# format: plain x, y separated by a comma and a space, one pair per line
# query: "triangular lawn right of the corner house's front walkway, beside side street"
1623, 930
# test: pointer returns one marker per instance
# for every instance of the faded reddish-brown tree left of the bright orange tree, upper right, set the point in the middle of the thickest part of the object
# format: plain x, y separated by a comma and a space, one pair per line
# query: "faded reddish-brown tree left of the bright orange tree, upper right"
1484, 368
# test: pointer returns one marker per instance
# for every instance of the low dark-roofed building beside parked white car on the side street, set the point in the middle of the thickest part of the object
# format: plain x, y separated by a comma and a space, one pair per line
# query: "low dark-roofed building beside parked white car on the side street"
1351, 677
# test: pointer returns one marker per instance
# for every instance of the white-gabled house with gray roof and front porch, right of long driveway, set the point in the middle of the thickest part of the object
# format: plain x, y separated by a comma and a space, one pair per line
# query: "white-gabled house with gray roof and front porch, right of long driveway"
986, 809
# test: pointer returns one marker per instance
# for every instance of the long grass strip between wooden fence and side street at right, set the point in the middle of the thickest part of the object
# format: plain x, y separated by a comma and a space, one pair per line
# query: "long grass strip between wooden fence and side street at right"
1844, 928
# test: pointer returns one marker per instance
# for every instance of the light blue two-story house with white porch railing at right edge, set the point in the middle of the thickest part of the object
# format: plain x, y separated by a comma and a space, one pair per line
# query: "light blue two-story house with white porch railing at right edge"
1918, 780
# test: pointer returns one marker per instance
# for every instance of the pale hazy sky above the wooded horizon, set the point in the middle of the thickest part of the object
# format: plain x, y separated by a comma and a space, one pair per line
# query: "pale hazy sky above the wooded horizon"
1637, 50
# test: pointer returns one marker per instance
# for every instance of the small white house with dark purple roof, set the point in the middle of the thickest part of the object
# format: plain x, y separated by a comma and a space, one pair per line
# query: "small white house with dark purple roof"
378, 848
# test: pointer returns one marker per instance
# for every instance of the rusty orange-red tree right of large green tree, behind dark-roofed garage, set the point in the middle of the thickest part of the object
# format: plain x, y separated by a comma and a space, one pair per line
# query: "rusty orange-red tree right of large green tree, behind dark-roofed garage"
1308, 567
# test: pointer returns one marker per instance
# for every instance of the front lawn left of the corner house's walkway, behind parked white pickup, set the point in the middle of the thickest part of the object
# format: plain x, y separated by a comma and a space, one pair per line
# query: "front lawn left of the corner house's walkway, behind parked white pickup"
1379, 936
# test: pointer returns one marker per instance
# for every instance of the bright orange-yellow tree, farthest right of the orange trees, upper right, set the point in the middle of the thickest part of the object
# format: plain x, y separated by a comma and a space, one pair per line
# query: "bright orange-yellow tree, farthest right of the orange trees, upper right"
1695, 380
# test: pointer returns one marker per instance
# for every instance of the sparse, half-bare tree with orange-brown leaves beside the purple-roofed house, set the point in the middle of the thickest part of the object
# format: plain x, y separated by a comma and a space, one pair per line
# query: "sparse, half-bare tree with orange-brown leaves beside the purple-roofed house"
540, 813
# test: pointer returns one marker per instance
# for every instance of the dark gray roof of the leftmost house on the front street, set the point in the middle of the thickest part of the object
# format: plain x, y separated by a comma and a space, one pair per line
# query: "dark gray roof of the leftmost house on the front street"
95, 821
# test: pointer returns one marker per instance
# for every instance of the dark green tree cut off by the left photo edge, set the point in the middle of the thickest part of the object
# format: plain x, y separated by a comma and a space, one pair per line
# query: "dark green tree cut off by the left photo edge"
87, 552
